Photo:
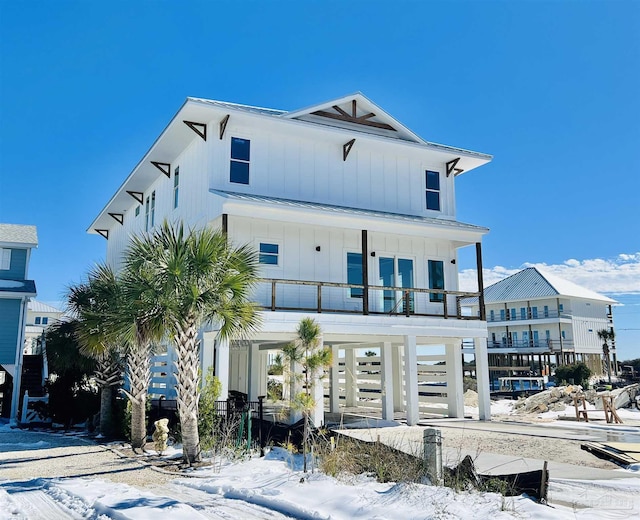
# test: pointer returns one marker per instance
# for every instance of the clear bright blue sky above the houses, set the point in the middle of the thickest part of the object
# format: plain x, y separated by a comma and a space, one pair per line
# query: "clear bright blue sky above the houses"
550, 88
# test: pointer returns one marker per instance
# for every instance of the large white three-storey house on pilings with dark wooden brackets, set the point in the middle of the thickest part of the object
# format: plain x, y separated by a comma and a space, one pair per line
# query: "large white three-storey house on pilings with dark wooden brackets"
354, 217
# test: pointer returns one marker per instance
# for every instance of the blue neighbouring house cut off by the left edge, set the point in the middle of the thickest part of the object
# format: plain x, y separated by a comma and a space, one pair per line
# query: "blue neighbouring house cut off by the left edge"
16, 242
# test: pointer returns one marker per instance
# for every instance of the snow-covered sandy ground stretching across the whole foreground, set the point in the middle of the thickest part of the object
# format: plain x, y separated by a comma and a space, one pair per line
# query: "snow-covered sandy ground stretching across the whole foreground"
270, 487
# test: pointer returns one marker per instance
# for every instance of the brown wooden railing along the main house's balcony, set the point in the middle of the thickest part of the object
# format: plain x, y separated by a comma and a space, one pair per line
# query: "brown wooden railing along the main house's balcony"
405, 301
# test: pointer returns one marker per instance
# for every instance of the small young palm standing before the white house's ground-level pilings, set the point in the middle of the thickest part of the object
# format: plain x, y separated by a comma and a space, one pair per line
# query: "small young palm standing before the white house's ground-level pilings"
307, 352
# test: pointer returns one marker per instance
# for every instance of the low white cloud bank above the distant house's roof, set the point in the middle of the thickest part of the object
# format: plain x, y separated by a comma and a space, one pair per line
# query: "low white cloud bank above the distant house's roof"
620, 275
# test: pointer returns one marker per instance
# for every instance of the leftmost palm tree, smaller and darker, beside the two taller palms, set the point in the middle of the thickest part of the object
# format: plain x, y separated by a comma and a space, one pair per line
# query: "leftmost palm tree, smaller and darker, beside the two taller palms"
89, 302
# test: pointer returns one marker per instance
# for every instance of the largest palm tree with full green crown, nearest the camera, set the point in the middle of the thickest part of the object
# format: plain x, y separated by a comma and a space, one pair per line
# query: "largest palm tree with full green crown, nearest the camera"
188, 279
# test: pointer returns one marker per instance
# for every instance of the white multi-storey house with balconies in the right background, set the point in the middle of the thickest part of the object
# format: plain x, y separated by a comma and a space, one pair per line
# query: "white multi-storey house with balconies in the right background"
535, 319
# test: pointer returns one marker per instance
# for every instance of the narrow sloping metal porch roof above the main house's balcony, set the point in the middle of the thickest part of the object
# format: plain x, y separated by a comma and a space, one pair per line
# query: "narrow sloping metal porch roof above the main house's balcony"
346, 210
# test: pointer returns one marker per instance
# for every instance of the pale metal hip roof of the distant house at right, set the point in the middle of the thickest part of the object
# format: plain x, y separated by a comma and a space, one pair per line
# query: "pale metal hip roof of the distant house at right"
530, 283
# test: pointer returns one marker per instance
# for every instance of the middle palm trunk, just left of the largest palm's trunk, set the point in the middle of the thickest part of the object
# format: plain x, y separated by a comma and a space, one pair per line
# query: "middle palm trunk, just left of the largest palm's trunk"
139, 375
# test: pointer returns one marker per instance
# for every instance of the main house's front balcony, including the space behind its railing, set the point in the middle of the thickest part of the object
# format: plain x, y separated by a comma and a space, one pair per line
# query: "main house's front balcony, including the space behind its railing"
274, 294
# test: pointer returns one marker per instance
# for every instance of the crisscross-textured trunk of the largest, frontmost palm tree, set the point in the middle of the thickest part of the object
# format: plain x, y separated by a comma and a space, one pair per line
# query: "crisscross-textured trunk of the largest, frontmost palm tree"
188, 389
